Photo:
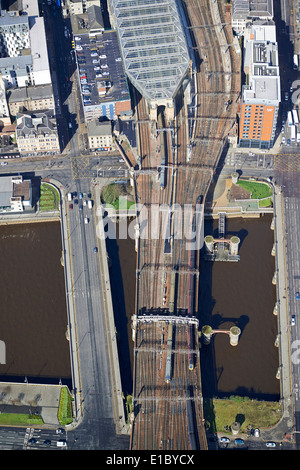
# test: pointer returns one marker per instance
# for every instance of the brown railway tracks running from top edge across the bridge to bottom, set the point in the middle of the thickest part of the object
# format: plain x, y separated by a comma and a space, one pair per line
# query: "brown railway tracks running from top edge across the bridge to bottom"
161, 411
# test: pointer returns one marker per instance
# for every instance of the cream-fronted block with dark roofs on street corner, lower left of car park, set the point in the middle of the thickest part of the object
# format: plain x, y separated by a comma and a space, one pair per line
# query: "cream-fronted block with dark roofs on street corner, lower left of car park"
36, 133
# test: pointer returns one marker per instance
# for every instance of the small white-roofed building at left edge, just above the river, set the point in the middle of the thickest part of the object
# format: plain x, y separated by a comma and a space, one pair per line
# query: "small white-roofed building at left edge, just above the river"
15, 194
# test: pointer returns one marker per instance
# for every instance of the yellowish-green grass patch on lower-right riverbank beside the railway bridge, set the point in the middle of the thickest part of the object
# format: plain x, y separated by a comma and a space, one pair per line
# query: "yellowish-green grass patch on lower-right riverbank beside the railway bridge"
221, 413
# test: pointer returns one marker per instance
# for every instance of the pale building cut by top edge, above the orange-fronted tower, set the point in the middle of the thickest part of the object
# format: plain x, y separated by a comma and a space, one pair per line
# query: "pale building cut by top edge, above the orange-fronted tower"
245, 12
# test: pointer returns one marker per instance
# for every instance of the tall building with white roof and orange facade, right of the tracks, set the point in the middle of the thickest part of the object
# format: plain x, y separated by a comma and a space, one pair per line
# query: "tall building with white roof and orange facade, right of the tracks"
261, 94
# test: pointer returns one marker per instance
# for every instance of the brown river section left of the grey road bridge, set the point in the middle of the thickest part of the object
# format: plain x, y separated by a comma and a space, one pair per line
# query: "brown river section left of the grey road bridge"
33, 313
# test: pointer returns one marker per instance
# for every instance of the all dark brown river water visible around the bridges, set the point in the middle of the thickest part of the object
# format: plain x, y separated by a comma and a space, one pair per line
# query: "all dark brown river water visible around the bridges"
34, 319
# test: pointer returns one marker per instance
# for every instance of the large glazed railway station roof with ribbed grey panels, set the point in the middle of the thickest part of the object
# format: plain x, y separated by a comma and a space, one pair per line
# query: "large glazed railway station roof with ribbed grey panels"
153, 45
